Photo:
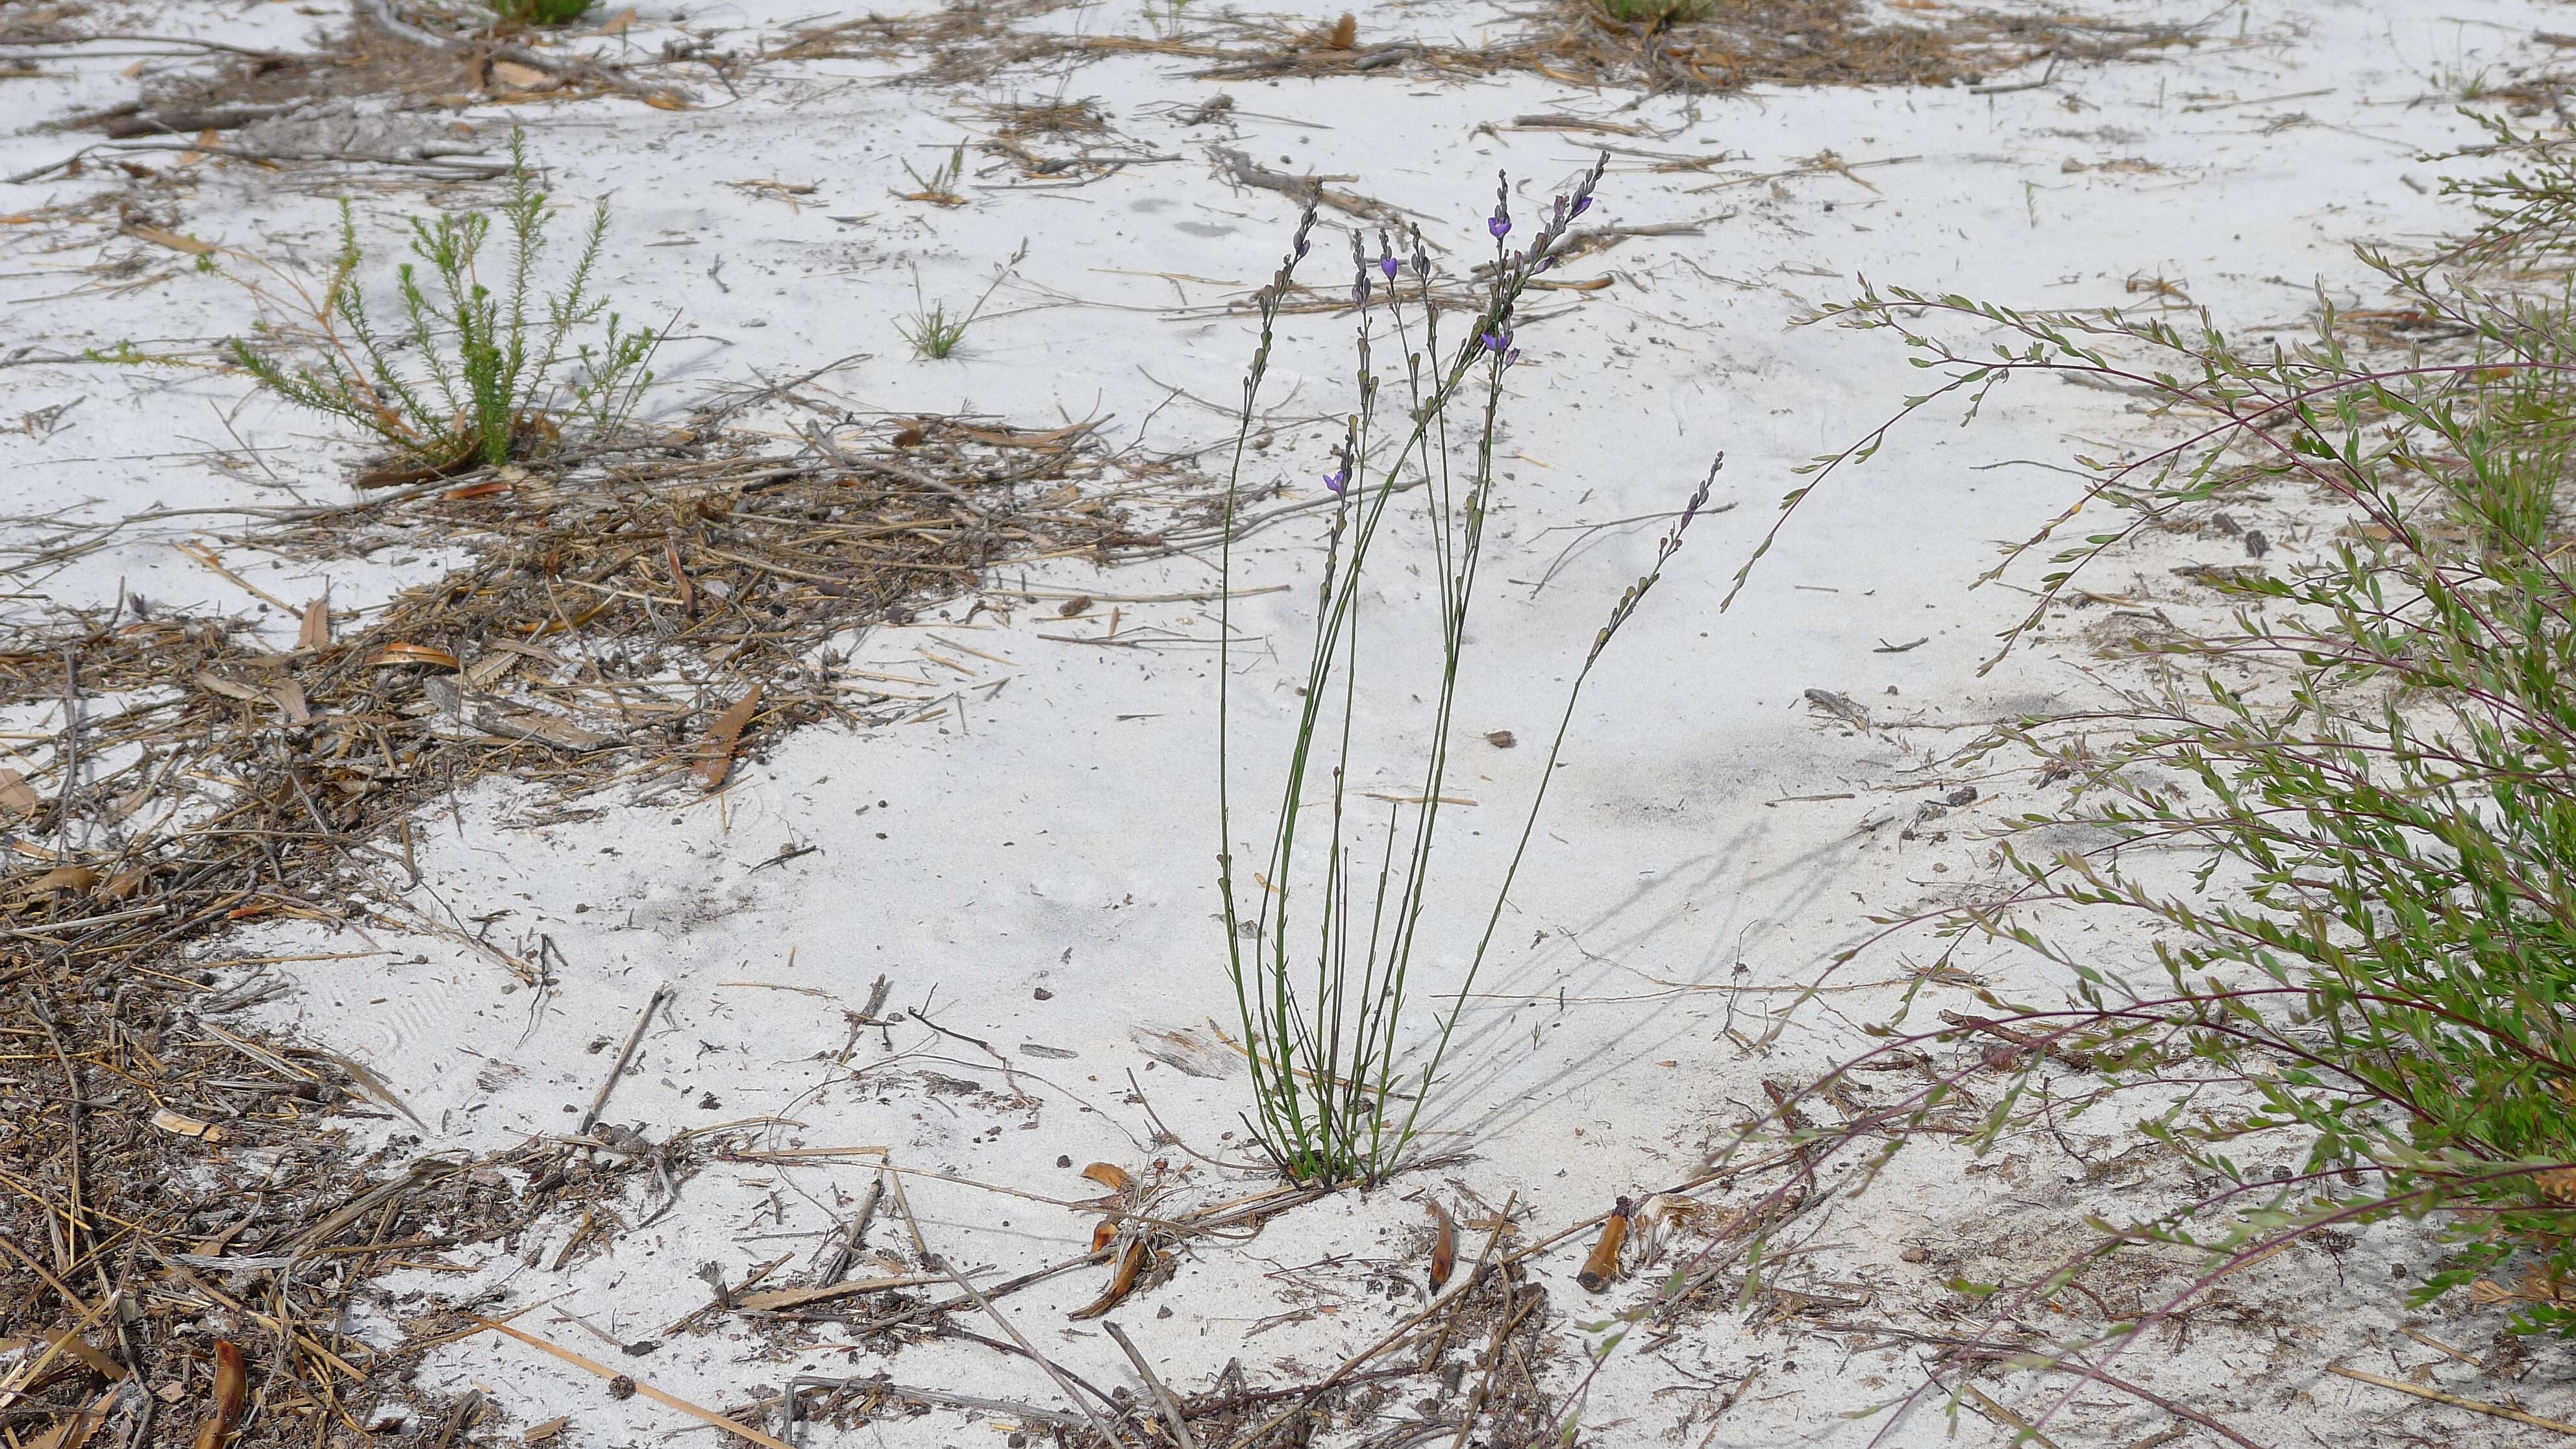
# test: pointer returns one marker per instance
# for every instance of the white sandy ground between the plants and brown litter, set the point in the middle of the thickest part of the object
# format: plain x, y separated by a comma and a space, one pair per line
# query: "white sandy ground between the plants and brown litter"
1032, 865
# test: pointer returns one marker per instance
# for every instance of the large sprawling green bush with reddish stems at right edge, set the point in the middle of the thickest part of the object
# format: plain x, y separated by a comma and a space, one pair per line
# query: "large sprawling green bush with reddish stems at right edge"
2369, 950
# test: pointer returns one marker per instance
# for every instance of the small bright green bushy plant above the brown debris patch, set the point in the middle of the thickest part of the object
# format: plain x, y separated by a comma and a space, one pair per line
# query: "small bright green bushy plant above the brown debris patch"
470, 370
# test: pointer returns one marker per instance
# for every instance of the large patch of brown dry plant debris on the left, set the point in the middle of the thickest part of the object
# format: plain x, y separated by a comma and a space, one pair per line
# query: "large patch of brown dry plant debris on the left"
638, 618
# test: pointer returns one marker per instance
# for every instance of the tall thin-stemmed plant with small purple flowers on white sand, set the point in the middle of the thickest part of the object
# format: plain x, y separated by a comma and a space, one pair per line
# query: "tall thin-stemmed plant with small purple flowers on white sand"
1325, 997
